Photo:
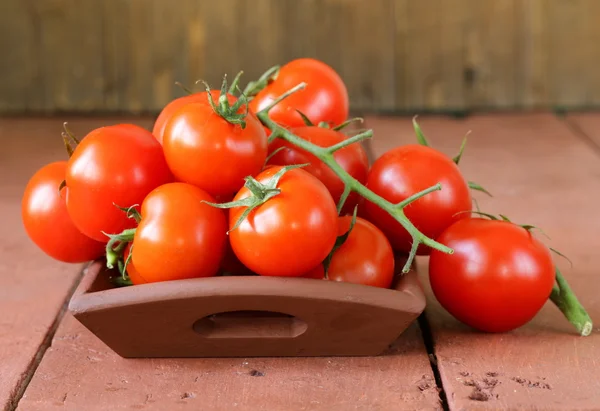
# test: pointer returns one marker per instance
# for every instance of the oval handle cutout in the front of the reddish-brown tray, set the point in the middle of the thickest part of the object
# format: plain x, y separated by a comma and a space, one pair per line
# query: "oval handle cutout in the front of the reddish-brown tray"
250, 324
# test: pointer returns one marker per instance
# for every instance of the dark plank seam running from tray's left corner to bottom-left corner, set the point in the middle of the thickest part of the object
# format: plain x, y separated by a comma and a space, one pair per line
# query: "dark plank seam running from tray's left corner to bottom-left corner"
46, 343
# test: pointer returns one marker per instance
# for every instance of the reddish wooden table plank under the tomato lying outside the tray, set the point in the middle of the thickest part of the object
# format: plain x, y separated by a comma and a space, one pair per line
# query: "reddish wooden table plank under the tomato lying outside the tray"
546, 182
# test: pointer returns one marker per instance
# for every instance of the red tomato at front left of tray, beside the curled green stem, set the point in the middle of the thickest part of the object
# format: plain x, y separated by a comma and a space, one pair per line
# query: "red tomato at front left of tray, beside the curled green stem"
179, 236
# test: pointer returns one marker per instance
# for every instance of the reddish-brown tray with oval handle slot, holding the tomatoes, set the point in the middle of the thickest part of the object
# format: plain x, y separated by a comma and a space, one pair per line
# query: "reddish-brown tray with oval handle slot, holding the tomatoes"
245, 316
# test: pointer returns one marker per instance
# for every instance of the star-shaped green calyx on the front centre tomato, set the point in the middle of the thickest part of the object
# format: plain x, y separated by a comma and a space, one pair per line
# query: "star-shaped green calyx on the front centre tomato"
260, 194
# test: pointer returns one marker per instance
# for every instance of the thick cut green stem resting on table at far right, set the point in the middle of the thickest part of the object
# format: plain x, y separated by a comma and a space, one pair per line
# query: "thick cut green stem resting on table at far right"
566, 301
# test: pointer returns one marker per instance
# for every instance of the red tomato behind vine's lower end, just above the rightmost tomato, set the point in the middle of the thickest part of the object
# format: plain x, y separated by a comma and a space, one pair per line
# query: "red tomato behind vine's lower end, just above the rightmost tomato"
406, 170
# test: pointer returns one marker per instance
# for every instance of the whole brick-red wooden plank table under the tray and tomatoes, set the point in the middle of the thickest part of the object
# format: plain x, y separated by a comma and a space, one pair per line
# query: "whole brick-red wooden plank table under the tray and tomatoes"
543, 170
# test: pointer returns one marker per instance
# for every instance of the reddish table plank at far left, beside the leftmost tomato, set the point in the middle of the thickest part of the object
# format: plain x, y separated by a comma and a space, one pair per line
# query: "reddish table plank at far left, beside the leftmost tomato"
33, 287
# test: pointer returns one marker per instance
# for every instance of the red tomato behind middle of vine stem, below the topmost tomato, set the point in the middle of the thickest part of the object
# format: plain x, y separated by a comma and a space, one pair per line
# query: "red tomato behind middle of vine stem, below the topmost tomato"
352, 158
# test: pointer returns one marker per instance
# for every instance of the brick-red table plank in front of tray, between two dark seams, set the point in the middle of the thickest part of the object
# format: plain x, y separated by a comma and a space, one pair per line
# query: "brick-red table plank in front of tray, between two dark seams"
78, 372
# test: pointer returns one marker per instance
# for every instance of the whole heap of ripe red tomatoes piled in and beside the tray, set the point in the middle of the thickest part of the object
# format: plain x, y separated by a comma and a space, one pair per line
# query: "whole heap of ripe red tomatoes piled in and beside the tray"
208, 192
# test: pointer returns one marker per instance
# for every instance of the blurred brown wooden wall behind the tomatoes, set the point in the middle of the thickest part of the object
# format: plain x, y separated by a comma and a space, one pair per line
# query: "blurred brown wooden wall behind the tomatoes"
395, 55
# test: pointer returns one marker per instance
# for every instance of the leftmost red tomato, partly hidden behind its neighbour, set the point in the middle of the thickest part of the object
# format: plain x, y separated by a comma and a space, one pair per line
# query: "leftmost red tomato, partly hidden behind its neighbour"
47, 222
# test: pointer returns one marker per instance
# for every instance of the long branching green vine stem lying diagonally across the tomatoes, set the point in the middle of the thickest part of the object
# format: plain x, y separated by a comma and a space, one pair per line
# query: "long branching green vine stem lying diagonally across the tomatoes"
325, 154
